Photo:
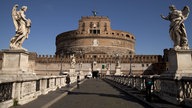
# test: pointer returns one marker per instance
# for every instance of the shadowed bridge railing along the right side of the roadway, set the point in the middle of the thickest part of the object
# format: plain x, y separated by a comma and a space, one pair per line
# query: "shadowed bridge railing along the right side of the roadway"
177, 91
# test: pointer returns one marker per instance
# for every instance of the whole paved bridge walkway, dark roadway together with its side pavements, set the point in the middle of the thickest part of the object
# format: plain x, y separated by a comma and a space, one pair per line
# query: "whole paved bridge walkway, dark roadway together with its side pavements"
95, 93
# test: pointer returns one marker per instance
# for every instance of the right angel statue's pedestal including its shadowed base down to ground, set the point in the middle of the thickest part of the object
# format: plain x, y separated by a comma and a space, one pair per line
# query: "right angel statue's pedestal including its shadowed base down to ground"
179, 65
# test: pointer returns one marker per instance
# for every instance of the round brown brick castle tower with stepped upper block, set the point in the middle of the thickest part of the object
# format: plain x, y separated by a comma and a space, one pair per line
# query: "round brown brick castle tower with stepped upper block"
95, 36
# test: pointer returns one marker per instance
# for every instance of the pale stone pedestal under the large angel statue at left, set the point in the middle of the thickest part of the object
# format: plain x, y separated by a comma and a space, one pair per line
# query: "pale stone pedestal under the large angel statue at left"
15, 65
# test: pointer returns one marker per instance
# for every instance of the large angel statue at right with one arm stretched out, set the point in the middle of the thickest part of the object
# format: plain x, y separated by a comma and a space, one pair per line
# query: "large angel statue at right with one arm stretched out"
177, 29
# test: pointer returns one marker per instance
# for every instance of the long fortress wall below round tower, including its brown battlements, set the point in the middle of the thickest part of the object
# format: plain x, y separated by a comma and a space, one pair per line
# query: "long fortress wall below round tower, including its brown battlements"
51, 64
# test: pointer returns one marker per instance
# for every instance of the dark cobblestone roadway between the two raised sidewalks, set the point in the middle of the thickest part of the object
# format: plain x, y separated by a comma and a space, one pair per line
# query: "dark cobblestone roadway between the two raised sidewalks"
95, 93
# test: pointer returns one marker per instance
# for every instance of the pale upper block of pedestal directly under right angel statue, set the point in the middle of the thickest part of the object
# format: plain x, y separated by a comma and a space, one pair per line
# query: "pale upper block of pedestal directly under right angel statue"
179, 63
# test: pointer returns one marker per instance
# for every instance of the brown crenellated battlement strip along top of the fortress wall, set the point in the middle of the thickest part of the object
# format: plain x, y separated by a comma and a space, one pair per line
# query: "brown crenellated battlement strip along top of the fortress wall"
100, 58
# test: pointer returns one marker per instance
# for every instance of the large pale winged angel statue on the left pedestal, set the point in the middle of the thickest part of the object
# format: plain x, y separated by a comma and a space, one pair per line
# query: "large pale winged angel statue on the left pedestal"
22, 27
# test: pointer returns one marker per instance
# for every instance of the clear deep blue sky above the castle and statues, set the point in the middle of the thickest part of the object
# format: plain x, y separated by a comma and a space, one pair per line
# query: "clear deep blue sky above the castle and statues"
52, 17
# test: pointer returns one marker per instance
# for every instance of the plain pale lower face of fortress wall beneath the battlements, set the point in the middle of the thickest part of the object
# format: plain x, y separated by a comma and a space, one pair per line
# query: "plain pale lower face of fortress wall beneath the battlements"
54, 68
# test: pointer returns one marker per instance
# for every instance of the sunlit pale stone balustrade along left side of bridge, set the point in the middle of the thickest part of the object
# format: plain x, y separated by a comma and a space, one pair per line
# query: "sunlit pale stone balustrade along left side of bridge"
24, 91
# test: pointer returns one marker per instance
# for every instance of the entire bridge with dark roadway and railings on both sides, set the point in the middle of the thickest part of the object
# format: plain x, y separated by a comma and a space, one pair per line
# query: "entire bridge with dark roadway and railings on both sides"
106, 92
